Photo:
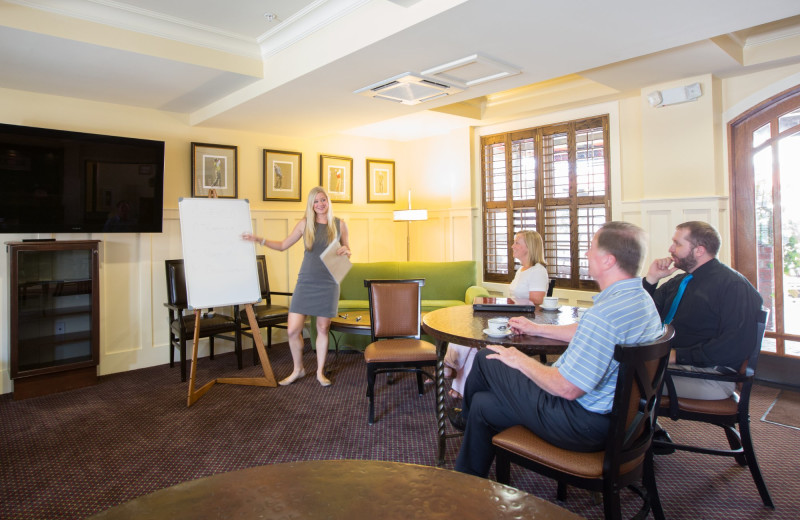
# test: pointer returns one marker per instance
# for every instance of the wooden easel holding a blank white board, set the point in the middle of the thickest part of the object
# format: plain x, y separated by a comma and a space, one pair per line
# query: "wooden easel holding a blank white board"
220, 271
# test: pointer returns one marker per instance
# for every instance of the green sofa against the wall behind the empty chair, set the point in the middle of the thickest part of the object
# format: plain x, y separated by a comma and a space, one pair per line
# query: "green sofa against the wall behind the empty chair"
446, 284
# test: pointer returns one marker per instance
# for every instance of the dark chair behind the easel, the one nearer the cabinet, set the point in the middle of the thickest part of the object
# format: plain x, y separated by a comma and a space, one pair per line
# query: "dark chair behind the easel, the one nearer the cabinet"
181, 320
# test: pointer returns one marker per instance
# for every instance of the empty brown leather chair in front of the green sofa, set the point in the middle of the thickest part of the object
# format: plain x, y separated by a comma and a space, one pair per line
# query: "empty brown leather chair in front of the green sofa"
394, 310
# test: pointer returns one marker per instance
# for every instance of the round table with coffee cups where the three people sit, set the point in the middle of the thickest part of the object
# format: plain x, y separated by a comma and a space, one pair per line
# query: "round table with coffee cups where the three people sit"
462, 325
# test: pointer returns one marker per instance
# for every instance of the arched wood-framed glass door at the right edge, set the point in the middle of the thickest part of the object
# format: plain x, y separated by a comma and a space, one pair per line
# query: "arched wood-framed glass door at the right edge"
765, 222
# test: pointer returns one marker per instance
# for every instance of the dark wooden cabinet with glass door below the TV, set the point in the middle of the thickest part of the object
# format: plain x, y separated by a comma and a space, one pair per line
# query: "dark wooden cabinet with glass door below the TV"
55, 310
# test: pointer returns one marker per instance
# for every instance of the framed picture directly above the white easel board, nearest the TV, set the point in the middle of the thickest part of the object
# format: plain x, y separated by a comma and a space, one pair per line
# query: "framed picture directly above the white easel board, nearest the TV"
214, 167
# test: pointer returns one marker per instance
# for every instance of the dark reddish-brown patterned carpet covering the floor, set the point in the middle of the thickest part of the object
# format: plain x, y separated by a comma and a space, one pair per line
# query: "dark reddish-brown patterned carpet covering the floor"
70, 455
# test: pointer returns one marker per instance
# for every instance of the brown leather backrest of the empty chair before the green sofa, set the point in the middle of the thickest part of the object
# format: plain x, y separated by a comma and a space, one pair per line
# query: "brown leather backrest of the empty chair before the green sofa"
395, 307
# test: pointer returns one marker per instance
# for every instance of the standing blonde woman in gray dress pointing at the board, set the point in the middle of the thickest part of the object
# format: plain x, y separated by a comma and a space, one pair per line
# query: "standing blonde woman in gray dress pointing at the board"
316, 292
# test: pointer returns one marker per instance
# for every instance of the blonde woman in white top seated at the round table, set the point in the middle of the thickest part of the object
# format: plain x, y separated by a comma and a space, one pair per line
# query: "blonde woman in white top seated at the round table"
530, 282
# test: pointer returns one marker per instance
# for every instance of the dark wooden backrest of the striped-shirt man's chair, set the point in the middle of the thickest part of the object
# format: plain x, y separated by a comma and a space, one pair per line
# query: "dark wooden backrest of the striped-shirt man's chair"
636, 400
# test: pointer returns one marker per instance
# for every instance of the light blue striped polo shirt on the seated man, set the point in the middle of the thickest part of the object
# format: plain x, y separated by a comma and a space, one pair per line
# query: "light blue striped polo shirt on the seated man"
623, 313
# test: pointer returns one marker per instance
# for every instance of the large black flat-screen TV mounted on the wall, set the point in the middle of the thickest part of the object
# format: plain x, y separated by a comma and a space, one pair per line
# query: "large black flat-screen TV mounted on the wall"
55, 181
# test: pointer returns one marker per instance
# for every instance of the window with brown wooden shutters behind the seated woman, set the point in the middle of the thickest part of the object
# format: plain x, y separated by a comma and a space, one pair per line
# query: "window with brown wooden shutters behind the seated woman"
552, 179
